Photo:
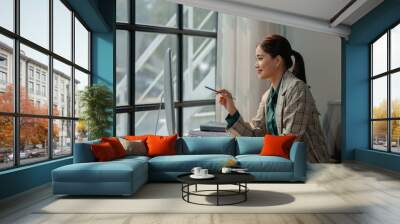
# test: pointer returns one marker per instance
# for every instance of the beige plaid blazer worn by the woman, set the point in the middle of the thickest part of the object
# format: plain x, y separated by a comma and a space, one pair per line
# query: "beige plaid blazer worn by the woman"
295, 113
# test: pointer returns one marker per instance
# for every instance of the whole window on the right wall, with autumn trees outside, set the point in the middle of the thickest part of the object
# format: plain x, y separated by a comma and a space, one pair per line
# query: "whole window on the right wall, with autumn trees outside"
385, 94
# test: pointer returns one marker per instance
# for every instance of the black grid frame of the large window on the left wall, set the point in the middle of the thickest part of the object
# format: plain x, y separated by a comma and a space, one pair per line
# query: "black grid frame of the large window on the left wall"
16, 114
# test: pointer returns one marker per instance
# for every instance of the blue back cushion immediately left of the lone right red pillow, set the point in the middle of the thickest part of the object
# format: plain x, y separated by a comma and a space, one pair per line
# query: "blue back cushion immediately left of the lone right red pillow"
249, 145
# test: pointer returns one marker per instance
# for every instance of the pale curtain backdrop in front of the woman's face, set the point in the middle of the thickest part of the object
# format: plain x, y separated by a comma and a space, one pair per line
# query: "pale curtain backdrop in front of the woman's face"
237, 41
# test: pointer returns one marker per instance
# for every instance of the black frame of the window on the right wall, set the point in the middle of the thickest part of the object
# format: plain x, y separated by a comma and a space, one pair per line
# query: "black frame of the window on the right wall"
388, 74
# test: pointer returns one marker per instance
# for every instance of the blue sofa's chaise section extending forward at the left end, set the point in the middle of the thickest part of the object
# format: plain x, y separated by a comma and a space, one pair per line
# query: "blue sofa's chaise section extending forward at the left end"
87, 177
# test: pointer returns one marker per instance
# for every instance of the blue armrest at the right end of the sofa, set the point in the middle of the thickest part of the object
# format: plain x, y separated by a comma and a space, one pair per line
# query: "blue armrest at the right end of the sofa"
298, 155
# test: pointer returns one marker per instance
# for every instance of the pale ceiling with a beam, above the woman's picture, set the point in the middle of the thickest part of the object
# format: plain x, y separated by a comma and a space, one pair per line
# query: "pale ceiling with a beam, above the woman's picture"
327, 16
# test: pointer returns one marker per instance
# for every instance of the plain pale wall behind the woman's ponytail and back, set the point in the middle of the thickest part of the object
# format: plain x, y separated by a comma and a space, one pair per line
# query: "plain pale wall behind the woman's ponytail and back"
322, 58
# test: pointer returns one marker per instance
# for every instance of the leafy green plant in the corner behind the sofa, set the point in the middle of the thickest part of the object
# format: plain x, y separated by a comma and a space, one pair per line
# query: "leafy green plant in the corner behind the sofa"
96, 102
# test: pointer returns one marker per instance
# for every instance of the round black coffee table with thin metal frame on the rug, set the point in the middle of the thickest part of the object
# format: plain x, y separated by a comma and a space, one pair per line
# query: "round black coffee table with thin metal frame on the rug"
238, 179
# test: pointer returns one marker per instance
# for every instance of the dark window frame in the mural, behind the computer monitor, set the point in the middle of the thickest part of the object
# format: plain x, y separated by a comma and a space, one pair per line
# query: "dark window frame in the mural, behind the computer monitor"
180, 31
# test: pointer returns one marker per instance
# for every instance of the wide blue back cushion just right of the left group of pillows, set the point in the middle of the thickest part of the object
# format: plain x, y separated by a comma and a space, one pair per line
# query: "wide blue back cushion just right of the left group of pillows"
206, 145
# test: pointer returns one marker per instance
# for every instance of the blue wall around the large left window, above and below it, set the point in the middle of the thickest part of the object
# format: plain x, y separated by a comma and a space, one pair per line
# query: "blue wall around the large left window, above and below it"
99, 15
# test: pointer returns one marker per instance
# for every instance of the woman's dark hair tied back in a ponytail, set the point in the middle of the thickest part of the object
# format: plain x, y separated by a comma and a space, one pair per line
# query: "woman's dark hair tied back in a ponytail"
276, 45
